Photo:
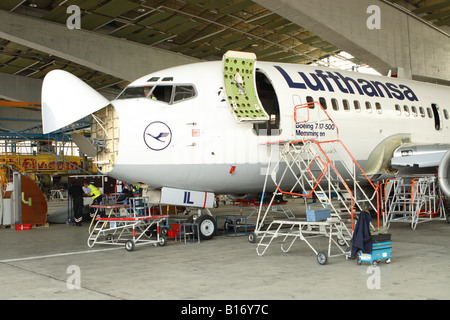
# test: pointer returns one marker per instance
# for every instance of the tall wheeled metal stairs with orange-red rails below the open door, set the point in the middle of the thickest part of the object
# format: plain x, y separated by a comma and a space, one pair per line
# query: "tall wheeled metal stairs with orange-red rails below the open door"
323, 168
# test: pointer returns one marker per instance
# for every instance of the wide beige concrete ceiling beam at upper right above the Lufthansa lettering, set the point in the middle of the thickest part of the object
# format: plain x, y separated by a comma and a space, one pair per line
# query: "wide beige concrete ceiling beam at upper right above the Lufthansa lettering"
402, 41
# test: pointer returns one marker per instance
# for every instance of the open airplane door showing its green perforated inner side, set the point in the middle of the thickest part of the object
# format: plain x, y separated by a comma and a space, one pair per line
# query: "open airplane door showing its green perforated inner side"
239, 84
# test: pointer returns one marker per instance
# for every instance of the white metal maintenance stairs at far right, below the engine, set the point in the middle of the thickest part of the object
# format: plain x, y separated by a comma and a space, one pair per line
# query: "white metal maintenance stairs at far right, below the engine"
413, 200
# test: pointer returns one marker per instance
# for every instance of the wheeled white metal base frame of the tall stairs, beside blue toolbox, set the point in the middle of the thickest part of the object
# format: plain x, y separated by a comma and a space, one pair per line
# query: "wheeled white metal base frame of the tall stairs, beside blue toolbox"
296, 228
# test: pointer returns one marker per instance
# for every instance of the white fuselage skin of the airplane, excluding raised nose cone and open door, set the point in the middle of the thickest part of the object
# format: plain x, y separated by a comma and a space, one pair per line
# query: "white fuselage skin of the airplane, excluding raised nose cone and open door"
196, 143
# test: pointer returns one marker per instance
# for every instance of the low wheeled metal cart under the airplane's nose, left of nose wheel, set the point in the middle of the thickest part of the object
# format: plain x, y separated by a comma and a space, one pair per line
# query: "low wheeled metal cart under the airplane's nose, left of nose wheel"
127, 231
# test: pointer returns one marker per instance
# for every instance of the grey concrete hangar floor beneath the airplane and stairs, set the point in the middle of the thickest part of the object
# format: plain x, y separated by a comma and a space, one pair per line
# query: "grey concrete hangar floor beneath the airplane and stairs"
37, 264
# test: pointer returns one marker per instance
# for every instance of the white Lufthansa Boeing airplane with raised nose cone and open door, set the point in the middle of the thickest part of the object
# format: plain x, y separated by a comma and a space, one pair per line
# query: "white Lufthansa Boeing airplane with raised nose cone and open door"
202, 129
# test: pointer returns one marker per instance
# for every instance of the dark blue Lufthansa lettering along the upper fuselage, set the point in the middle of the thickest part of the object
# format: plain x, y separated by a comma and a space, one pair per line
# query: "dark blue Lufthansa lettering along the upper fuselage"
328, 81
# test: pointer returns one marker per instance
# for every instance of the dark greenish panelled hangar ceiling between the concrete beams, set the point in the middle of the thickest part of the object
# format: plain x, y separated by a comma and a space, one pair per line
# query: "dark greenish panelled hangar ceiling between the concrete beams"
203, 29
